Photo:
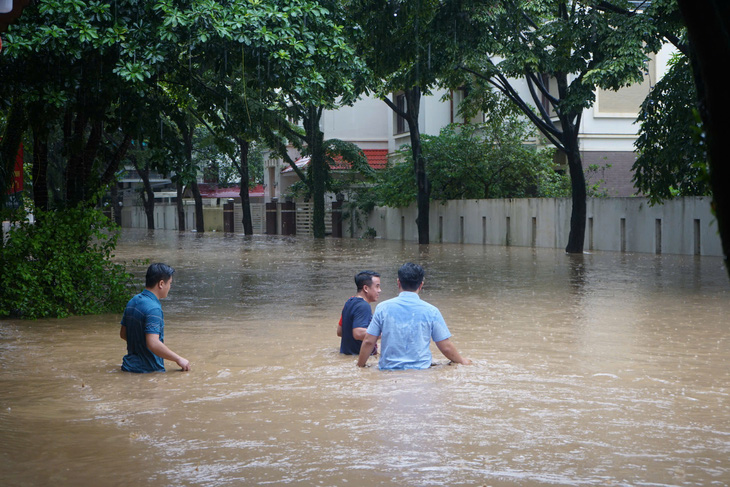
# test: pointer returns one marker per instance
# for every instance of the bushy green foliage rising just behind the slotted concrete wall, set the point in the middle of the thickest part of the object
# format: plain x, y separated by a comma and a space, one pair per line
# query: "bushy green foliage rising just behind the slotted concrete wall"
475, 161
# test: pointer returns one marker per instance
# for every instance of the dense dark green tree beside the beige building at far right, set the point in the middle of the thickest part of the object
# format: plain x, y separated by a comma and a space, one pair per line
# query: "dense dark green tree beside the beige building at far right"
672, 158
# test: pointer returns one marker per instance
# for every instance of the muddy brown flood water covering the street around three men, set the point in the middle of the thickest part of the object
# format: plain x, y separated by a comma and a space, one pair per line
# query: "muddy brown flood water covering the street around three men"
602, 369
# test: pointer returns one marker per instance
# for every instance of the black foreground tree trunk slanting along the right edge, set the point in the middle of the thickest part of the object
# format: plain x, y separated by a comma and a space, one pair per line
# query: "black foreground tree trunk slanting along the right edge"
708, 23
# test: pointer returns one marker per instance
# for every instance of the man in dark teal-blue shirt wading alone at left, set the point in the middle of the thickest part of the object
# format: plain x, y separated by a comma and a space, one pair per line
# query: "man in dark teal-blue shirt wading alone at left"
143, 325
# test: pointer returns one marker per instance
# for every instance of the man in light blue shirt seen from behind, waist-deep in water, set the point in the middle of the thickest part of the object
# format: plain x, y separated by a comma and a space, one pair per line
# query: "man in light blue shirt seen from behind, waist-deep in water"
406, 326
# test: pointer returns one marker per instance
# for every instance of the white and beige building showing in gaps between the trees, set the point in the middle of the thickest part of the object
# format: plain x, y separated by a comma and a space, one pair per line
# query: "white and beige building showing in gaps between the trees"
607, 132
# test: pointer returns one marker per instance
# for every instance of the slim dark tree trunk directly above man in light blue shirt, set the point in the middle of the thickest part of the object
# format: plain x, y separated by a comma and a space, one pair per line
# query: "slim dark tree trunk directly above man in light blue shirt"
413, 103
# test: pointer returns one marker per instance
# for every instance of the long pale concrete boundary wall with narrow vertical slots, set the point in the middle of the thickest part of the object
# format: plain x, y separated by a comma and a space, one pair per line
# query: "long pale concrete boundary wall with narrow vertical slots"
681, 226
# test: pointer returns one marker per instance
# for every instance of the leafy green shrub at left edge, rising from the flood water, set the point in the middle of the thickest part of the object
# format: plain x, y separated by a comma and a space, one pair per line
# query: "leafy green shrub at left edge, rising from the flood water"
61, 265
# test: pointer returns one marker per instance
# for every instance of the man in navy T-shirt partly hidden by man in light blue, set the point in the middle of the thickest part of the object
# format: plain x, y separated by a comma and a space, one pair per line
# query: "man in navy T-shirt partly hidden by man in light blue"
356, 313
